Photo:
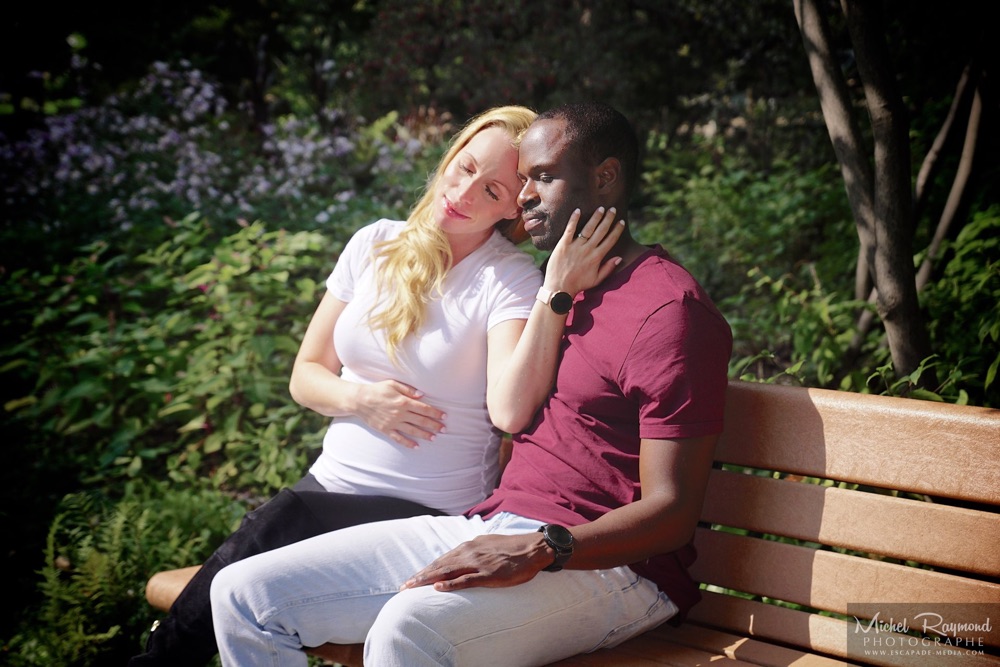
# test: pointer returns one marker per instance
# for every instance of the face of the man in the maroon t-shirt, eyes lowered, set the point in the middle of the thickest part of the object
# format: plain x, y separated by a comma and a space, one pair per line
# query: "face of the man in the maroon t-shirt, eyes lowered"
556, 180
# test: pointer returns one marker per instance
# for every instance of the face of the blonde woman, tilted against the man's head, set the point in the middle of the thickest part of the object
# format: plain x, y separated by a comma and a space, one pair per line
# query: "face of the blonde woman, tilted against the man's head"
479, 186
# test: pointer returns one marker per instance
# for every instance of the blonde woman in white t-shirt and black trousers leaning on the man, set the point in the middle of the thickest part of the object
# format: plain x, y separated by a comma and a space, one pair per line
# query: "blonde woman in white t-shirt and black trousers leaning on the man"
430, 358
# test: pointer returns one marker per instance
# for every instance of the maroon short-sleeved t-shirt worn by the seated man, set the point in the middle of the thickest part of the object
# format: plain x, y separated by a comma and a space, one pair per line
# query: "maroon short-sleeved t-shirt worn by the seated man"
644, 355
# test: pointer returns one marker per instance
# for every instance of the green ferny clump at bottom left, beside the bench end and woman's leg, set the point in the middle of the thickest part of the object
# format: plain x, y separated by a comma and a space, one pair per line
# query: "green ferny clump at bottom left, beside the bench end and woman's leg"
98, 557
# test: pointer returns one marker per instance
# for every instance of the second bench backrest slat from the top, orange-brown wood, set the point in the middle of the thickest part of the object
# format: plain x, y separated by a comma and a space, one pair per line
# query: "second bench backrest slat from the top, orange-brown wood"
964, 539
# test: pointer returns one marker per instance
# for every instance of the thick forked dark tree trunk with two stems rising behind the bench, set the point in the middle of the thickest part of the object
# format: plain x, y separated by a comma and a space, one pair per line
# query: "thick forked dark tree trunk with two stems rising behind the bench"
881, 200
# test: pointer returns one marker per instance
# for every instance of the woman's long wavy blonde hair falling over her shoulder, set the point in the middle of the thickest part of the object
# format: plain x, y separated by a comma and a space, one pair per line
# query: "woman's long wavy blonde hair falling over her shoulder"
413, 266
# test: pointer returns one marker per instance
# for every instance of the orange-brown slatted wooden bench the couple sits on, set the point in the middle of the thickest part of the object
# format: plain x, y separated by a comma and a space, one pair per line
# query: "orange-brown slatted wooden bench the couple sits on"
822, 501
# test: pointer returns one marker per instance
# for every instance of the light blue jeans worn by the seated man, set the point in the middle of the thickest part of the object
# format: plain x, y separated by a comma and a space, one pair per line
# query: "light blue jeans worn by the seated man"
343, 587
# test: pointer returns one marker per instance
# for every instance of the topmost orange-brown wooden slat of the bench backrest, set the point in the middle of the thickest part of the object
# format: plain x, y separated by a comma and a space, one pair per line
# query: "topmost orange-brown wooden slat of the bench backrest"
904, 444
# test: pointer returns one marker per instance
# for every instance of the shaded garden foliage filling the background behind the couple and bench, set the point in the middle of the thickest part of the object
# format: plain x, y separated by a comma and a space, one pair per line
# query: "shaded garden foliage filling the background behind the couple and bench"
177, 180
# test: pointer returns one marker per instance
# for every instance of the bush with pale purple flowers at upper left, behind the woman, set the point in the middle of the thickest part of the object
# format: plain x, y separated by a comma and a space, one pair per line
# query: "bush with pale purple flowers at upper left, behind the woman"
171, 144
